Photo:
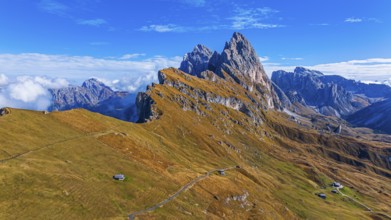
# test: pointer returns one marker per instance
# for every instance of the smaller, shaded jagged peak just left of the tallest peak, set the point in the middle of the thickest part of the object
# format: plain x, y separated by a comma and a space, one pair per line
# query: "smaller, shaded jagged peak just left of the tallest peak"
196, 61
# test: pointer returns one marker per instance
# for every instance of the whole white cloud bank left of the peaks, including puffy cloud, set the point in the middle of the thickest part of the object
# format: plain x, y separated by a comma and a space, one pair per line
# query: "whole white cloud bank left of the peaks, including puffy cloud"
26, 78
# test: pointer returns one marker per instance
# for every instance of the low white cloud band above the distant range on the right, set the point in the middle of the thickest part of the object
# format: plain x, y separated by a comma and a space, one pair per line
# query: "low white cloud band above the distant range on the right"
365, 70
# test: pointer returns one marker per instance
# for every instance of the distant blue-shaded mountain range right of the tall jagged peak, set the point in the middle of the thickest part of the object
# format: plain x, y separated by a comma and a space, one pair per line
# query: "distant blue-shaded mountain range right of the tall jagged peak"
360, 103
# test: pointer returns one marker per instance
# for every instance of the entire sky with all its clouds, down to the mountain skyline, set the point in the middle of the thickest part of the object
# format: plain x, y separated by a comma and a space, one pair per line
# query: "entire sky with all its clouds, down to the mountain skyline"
51, 43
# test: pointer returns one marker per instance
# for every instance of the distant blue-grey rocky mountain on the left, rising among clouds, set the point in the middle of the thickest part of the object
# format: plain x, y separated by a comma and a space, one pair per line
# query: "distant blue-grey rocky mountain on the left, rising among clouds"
97, 97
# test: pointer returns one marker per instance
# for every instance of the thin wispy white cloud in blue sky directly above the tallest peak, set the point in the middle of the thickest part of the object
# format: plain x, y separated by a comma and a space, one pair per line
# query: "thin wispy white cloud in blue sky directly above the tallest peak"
252, 18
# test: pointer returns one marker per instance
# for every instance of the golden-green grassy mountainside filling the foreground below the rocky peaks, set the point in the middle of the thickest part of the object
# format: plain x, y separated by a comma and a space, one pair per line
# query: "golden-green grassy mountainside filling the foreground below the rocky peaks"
73, 155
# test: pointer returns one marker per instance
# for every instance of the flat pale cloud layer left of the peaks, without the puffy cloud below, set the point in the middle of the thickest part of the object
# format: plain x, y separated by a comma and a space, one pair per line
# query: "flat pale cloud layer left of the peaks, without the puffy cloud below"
135, 74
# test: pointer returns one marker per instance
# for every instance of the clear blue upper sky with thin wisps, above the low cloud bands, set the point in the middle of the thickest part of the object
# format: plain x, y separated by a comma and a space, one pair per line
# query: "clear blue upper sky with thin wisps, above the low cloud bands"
315, 31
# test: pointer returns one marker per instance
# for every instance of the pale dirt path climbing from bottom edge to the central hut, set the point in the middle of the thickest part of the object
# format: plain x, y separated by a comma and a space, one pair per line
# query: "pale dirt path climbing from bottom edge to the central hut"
177, 193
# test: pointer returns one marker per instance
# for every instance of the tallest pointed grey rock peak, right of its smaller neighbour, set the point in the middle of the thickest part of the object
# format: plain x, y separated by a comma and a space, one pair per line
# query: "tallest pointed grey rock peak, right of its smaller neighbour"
239, 54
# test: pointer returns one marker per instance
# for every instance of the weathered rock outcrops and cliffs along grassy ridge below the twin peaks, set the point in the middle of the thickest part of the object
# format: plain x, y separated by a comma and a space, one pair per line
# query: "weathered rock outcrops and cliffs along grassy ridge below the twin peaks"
196, 99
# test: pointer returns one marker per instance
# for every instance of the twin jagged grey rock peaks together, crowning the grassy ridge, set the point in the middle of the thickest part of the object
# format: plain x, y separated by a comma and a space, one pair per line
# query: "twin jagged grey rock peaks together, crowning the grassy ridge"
239, 60
